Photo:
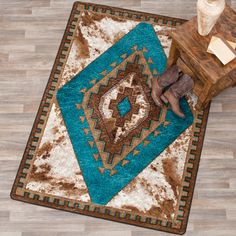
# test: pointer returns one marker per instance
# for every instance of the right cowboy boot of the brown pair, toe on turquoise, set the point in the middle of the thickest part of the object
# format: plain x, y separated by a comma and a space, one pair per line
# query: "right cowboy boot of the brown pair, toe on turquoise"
176, 91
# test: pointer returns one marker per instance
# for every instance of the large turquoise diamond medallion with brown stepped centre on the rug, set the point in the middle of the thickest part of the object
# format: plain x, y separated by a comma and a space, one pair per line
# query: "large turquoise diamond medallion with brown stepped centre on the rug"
114, 126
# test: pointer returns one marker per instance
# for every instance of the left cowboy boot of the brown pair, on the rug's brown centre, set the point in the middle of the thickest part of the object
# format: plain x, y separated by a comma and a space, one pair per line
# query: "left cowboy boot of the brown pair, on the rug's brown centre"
169, 77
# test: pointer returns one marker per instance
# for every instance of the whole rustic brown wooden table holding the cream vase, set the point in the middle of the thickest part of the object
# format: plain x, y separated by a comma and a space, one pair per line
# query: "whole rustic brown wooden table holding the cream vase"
189, 51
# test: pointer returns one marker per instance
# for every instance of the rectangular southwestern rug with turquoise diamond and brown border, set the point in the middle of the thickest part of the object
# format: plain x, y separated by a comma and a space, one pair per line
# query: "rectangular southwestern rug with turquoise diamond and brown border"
99, 145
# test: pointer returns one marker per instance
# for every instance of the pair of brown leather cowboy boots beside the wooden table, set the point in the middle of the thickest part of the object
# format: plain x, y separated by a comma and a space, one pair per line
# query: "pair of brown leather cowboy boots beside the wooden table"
177, 84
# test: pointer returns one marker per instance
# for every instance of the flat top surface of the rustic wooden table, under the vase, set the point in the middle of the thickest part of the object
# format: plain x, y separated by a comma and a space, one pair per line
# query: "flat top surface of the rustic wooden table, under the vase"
196, 45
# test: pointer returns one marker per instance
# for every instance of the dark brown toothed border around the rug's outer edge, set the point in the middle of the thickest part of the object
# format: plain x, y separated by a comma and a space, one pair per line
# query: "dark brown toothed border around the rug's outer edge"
47, 100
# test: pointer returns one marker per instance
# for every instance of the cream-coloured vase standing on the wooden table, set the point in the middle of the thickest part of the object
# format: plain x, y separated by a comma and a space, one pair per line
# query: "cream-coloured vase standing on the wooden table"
208, 13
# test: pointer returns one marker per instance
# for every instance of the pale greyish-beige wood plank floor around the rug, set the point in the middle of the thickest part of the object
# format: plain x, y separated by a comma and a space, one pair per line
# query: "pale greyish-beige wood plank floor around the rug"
30, 32
